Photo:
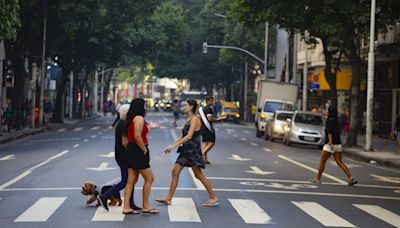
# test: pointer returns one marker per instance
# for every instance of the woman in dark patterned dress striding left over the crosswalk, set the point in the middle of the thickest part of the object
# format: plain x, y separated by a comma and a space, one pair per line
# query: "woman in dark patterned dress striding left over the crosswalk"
190, 155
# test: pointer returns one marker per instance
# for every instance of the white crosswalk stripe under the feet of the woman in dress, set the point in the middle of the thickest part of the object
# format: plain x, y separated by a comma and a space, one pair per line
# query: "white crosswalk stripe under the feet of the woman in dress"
183, 210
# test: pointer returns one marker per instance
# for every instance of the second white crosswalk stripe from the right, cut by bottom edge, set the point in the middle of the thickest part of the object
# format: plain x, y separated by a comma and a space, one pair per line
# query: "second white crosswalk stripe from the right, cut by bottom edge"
322, 214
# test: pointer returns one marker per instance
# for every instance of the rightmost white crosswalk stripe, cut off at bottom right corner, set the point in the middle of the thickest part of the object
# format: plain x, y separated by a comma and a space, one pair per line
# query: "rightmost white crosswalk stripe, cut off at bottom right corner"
380, 213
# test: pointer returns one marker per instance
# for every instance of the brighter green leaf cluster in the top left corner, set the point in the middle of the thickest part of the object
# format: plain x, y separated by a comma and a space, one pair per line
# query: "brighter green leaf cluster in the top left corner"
9, 19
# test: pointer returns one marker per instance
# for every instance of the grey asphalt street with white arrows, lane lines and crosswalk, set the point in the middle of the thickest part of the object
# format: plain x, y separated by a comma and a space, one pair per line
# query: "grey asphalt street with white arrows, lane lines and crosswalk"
257, 182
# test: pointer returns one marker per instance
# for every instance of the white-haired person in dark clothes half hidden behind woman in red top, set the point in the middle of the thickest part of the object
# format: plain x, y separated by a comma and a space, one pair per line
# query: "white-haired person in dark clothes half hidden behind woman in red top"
121, 142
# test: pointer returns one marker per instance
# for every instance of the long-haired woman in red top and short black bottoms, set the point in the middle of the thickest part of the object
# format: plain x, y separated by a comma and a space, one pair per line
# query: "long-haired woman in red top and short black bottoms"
137, 157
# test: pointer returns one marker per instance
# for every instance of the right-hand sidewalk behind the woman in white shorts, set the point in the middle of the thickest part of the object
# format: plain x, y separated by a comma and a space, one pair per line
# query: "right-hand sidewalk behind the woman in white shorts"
385, 151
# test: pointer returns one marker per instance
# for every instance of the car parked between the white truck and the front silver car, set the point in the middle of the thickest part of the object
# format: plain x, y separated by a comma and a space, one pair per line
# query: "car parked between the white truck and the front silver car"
275, 128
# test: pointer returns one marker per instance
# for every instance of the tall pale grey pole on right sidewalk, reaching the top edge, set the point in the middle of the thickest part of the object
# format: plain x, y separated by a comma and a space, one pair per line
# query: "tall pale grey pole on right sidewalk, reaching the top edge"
370, 84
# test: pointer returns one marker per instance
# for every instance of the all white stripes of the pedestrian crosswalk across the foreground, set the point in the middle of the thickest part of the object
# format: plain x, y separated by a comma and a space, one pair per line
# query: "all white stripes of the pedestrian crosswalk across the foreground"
250, 212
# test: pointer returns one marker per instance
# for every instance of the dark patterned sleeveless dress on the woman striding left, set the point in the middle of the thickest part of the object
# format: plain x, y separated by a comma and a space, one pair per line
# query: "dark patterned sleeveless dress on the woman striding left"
190, 154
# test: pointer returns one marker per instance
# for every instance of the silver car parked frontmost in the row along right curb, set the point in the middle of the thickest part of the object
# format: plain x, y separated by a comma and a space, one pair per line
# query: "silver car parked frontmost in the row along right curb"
305, 128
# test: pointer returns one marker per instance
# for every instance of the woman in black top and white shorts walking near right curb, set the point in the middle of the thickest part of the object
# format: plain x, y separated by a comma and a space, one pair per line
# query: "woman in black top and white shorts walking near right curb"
333, 146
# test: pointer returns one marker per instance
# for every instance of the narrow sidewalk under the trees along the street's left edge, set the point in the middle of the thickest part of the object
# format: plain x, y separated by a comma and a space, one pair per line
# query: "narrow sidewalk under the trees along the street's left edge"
6, 137
